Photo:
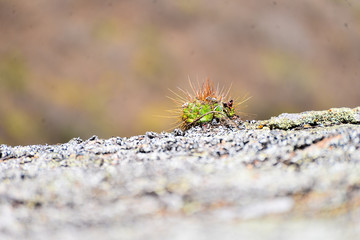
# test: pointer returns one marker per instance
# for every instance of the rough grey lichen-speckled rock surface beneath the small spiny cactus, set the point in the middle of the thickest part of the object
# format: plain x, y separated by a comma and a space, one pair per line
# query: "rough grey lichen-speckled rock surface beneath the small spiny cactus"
295, 176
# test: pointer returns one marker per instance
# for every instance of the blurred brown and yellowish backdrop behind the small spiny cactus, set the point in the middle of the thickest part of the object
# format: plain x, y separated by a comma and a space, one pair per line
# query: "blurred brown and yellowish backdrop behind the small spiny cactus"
104, 67
